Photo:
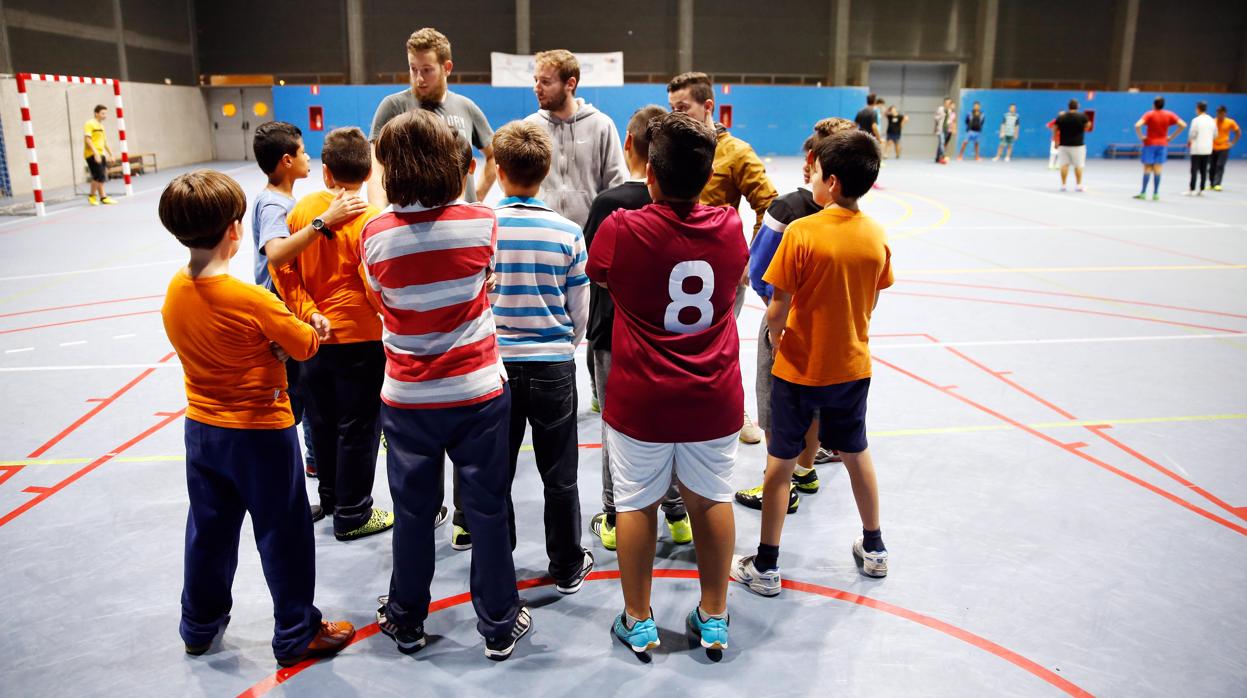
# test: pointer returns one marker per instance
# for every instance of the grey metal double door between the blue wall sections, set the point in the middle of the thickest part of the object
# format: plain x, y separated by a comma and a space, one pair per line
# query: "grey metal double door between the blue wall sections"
917, 89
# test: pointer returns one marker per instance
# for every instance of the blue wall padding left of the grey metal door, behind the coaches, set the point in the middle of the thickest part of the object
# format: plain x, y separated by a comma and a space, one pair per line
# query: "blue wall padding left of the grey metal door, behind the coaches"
775, 120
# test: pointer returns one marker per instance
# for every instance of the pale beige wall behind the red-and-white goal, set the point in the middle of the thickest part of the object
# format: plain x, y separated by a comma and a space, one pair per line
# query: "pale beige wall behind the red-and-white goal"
170, 122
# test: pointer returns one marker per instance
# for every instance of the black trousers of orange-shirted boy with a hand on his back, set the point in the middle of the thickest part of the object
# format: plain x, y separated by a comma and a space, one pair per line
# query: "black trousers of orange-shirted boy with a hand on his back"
344, 386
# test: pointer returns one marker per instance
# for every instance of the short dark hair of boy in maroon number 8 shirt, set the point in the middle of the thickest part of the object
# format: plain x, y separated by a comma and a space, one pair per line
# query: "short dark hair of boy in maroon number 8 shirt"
681, 154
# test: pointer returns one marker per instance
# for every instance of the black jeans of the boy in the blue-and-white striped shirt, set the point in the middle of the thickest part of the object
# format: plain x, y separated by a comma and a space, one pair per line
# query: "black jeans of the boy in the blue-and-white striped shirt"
544, 394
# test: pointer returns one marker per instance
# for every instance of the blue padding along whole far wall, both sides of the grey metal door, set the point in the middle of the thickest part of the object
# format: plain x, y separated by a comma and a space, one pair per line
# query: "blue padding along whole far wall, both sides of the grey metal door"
774, 119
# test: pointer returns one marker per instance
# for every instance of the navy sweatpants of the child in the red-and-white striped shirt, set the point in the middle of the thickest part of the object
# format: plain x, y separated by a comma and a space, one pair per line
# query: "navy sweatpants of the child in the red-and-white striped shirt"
476, 438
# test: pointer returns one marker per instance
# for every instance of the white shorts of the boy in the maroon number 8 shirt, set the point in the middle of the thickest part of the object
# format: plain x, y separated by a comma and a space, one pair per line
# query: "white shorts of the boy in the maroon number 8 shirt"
643, 471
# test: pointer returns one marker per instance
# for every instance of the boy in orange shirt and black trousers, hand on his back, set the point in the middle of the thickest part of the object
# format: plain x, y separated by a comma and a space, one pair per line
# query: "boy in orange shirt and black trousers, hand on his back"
322, 285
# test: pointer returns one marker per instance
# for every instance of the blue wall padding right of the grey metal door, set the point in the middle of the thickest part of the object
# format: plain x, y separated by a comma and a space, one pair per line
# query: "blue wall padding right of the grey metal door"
1115, 117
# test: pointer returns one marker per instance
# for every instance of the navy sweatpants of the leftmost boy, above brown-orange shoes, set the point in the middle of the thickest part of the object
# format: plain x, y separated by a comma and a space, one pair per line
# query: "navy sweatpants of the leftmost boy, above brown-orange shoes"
258, 472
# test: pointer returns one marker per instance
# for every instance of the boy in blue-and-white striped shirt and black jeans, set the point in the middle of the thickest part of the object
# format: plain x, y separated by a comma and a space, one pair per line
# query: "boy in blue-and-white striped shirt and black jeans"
542, 311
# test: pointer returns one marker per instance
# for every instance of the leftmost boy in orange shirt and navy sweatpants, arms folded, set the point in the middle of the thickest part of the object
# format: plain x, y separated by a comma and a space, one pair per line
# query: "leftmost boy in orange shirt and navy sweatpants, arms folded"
243, 454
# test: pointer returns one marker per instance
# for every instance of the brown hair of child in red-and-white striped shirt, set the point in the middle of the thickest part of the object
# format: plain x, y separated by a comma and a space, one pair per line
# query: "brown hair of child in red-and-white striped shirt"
420, 160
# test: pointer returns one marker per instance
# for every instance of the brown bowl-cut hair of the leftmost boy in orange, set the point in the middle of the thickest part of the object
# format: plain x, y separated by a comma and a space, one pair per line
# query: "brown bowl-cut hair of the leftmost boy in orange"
200, 206
